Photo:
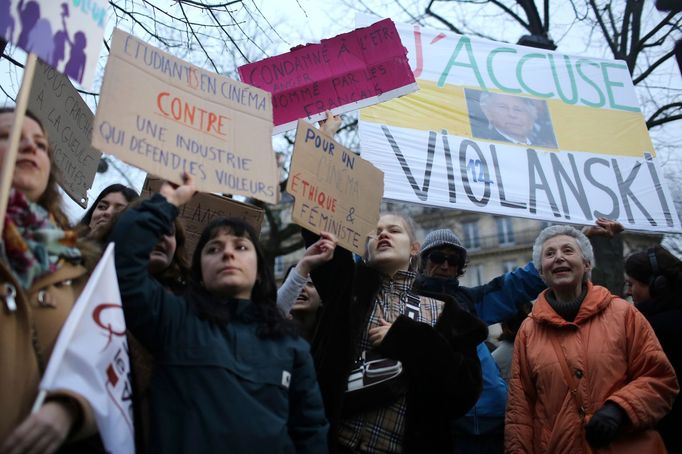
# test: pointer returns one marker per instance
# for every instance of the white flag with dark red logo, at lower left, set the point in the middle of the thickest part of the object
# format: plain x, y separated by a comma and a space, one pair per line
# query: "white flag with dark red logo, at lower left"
91, 357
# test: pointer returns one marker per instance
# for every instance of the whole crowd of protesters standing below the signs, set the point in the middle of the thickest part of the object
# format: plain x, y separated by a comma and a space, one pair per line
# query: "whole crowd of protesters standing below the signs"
381, 353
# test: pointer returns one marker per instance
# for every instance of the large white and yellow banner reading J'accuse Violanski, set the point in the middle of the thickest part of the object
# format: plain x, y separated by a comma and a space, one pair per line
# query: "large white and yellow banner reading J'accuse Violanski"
518, 131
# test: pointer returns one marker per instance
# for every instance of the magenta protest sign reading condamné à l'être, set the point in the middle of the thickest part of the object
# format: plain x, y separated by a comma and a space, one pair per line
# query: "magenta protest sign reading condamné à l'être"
352, 70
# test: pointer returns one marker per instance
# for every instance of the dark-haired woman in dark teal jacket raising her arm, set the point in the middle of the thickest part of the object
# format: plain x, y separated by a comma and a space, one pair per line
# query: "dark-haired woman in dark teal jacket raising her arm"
231, 374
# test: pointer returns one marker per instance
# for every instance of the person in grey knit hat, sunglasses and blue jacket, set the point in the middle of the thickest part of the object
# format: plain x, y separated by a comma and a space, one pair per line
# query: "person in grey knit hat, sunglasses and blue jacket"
443, 260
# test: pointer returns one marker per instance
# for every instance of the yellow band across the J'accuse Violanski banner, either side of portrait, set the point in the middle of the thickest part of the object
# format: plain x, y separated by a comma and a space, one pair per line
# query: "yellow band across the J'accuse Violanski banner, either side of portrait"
576, 128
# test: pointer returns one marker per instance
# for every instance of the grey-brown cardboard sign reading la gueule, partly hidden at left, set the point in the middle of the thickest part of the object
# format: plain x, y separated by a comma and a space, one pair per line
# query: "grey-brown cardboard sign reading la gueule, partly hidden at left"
68, 122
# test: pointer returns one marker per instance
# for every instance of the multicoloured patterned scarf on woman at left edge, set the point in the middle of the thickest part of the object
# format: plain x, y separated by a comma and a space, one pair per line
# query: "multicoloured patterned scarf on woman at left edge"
34, 244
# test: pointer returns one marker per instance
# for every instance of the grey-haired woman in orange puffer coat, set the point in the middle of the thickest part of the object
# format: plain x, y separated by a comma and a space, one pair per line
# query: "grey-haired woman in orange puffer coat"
588, 372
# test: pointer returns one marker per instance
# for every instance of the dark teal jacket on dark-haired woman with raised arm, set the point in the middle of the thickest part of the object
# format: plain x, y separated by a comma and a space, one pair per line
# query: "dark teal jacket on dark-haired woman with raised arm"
215, 389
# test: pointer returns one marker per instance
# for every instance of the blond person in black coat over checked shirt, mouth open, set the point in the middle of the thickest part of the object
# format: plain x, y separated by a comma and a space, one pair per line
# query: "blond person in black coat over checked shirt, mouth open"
371, 311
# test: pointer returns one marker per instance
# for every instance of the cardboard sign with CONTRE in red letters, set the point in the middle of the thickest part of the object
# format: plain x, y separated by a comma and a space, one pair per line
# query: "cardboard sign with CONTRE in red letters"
180, 118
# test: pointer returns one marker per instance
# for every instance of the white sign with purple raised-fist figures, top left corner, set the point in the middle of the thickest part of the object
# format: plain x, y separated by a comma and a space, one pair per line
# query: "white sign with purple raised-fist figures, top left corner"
65, 34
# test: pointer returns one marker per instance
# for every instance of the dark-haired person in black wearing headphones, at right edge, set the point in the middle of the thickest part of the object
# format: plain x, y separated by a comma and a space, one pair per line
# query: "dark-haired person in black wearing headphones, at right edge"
653, 278
